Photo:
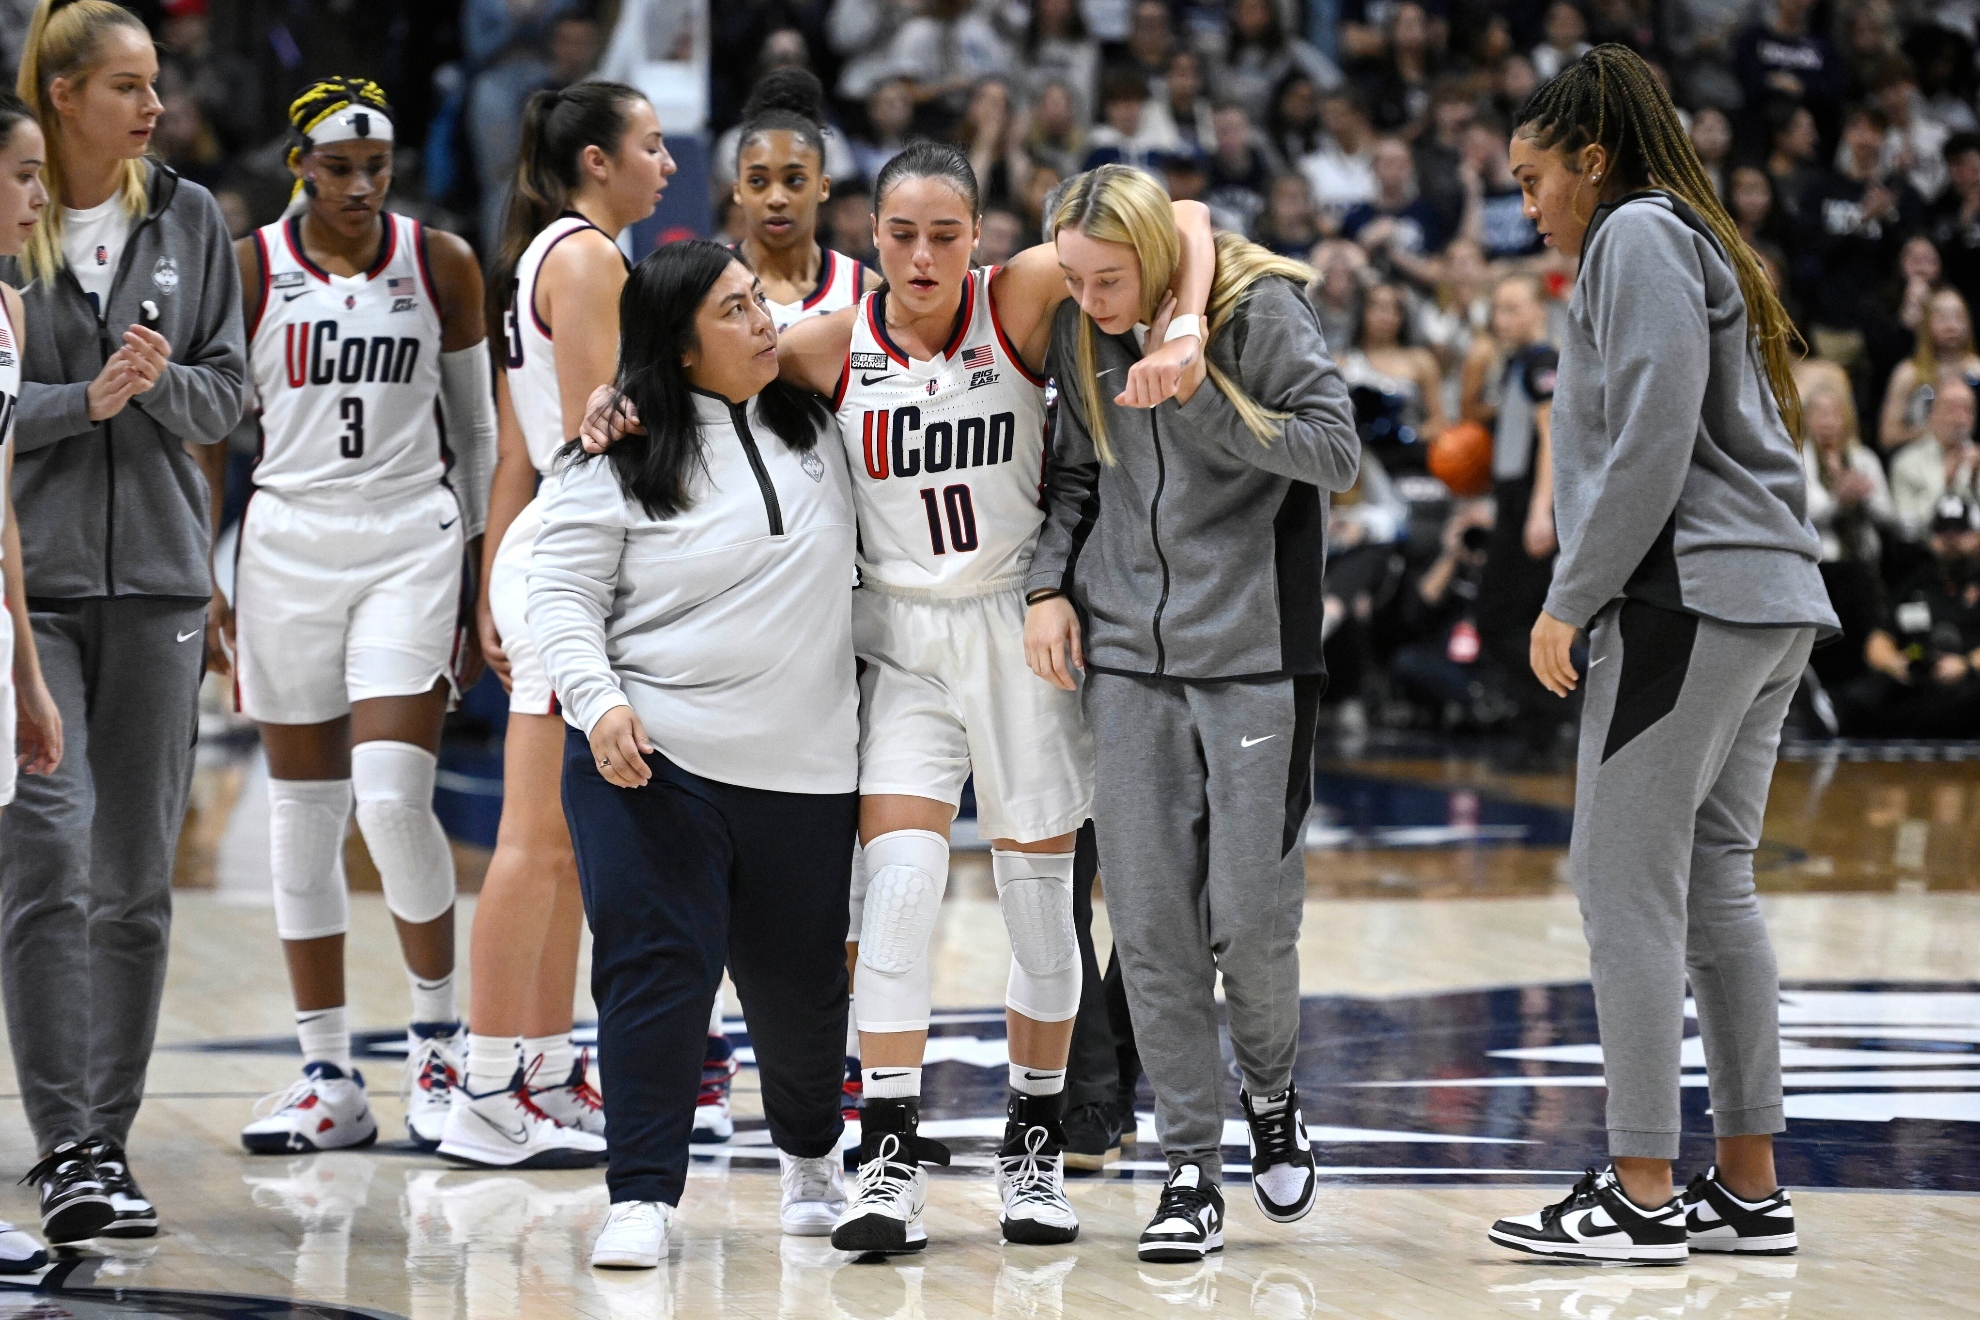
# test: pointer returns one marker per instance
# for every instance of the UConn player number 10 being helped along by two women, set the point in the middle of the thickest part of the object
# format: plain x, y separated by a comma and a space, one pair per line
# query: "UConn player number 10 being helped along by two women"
936, 381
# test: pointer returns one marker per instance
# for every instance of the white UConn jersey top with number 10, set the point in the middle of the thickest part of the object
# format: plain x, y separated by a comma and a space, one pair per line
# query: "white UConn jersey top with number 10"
947, 456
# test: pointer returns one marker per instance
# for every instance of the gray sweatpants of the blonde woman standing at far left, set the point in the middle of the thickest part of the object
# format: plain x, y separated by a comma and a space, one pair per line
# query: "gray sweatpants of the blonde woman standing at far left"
86, 860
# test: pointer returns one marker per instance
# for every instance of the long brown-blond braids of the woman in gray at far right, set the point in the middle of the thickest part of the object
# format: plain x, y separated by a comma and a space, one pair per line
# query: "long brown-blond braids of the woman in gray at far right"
1613, 100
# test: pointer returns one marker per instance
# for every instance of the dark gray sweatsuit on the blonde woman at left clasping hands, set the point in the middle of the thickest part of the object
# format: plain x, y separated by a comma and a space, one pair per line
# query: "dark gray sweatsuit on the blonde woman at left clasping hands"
116, 531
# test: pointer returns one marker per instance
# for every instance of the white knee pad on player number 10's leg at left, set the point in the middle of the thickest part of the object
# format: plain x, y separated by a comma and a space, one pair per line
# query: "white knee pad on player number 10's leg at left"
908, 874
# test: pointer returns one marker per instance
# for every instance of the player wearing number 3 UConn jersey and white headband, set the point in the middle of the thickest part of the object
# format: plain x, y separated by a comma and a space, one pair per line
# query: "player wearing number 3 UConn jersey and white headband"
367, 353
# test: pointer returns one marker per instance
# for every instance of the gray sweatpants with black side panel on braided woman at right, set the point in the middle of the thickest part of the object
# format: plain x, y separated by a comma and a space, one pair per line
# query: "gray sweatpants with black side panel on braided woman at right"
1680, 733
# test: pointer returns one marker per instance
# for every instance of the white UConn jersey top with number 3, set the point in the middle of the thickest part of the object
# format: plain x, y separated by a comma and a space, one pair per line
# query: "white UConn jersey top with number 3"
347, 369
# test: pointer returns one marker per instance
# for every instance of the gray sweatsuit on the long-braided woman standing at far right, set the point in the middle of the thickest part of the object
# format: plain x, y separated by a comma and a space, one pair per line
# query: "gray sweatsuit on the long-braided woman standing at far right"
1688, 555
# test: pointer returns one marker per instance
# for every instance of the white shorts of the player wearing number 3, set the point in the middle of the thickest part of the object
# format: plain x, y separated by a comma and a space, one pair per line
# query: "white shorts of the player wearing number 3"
340, 603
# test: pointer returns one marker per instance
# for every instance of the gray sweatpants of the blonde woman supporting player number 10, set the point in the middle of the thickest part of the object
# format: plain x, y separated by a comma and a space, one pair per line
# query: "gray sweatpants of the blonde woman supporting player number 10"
1201, 799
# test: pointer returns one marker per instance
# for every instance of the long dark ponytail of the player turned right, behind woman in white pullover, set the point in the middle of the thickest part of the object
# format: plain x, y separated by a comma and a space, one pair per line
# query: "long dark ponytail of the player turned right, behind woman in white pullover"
557, 128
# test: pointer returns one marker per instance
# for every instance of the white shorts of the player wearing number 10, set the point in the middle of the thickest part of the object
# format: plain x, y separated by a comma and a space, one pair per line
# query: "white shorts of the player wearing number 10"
947, 694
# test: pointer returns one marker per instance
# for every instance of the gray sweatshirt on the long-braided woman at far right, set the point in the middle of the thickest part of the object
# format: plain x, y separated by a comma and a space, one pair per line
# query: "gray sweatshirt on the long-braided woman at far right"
1676, 480
